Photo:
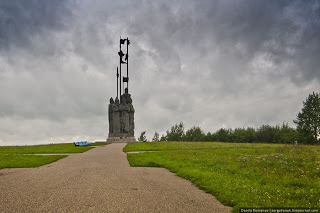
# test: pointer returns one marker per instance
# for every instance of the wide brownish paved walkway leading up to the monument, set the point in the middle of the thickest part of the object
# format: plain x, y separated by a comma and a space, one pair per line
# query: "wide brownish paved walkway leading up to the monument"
100, 180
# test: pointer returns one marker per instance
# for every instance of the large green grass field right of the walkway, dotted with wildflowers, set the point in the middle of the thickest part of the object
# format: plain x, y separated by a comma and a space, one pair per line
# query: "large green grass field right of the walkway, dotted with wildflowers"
241, 175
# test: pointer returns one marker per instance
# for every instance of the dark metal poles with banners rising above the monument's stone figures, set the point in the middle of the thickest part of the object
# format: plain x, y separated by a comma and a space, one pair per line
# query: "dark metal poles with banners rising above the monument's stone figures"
123, 61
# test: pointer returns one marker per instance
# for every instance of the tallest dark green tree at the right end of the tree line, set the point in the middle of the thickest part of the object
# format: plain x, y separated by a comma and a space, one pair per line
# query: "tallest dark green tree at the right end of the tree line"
308, 120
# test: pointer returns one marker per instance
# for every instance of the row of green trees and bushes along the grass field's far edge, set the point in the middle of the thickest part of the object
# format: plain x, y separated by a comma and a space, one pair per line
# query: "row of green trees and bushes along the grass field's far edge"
307, 131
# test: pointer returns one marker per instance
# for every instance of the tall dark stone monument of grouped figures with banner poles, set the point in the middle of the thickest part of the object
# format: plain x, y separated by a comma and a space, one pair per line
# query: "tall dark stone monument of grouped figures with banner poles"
121, 113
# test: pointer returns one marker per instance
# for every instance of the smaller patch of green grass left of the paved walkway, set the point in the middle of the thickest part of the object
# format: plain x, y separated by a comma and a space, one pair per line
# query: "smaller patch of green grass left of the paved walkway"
15, 156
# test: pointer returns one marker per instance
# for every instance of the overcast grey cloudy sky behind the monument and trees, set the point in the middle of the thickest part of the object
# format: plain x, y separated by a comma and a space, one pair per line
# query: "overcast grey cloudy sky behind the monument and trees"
208, 63
